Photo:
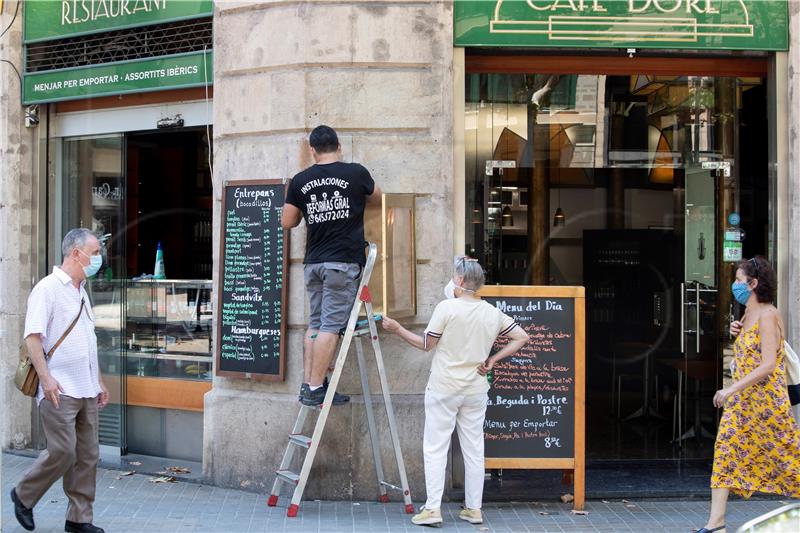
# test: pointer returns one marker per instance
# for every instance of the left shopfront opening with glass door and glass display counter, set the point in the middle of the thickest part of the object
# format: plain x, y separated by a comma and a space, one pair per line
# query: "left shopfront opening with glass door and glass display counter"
139, 192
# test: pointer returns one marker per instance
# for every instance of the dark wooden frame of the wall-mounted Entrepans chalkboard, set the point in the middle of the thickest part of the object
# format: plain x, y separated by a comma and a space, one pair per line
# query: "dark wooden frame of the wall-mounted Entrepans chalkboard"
255, 376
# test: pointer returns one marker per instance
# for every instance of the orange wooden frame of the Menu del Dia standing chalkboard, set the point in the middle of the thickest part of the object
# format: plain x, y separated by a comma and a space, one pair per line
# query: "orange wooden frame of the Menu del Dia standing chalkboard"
576, 463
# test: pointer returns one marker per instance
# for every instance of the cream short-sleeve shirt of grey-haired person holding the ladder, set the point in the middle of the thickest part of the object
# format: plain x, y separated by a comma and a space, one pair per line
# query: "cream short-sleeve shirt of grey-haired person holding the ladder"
466, 329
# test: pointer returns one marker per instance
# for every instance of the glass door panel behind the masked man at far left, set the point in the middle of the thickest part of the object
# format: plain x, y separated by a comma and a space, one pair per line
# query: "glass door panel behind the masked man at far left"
92, 190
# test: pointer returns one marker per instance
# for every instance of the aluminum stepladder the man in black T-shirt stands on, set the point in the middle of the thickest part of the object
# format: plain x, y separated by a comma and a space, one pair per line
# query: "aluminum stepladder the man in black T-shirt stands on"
297, 440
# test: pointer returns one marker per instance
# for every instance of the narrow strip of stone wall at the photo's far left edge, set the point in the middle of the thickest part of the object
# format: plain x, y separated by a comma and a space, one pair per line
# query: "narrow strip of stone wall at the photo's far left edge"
17, 247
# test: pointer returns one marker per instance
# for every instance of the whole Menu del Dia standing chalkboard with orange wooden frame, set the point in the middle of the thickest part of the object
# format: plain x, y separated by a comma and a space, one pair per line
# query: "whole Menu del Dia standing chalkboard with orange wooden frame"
535, 411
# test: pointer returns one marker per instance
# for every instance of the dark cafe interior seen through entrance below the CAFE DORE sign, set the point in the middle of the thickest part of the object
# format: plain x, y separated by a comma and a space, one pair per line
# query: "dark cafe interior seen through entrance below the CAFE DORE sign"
646, 189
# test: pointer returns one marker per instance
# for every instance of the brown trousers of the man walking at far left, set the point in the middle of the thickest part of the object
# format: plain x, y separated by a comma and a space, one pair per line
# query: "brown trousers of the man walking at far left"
73, 451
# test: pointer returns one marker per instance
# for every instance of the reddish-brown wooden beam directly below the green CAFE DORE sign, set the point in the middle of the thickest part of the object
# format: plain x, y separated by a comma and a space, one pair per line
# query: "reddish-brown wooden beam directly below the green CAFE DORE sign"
618, 65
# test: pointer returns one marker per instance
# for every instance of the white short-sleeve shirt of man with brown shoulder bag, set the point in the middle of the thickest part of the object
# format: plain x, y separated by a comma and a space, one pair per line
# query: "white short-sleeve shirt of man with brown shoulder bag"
52, 306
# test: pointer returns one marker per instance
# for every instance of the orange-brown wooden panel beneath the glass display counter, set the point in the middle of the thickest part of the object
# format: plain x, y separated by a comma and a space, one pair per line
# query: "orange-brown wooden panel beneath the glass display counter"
167, 393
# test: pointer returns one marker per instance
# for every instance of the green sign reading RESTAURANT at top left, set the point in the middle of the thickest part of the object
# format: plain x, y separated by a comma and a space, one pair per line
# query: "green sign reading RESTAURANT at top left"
56, 19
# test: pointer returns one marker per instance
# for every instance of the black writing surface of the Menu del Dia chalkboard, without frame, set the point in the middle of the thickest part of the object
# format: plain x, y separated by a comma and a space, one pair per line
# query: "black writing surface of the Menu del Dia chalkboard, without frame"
531, 405
